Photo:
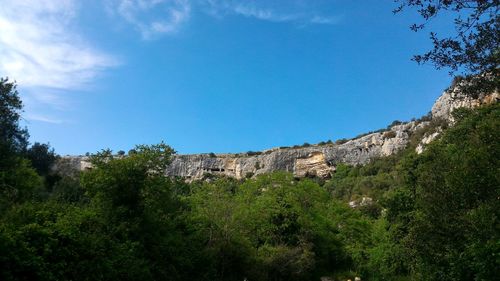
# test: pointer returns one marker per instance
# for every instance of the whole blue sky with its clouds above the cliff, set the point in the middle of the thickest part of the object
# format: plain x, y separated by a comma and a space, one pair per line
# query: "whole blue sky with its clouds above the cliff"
213, 75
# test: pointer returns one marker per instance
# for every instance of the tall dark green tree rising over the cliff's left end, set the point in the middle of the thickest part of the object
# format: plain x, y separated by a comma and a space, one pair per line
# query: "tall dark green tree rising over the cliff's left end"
142, 209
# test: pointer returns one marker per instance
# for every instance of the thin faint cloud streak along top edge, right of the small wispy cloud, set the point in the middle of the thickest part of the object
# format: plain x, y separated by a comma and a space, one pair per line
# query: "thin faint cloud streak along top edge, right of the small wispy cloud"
260, 11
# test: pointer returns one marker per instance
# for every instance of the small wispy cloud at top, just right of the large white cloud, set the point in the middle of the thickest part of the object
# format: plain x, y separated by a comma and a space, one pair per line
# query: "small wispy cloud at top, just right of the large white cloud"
152, 17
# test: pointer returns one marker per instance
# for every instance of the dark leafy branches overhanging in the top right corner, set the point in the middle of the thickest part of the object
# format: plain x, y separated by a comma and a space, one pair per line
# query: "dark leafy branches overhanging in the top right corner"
473, 50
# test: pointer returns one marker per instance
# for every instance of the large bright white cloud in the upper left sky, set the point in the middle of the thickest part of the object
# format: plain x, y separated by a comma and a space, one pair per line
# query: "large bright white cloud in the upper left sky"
41, 50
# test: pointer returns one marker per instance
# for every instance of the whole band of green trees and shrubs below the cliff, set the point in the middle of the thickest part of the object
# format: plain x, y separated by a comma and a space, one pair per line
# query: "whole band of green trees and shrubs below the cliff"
432, 216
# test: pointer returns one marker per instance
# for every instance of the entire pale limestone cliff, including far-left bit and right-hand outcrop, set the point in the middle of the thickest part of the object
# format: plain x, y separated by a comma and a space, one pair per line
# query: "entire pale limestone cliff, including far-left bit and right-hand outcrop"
314, 160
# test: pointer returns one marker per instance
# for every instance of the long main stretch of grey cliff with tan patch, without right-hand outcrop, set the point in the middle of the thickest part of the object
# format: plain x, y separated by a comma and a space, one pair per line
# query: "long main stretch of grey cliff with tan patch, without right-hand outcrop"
314, 160
